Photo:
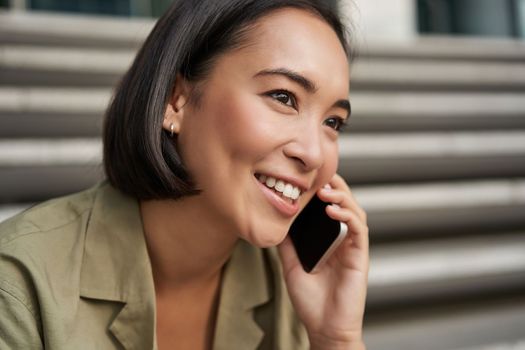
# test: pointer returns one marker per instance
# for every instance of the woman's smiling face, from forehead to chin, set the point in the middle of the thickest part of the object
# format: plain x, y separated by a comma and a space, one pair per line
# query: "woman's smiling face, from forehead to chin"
269, 113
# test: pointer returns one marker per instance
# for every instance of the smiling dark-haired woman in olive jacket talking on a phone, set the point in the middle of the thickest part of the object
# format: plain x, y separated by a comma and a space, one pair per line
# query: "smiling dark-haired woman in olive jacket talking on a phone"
174, 251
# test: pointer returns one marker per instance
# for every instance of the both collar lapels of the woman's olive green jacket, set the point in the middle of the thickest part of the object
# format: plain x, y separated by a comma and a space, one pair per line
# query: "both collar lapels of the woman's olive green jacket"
116, 267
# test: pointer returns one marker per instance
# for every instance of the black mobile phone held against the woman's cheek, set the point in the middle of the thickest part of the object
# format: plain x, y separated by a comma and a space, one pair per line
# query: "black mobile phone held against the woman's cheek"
315, 235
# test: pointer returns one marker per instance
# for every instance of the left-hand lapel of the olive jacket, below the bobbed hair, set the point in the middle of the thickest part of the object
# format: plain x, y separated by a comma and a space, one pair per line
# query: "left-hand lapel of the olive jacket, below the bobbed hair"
116, 267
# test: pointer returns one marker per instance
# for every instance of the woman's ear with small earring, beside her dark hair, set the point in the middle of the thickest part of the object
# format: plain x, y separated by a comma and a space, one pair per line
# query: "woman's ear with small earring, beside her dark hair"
174, 113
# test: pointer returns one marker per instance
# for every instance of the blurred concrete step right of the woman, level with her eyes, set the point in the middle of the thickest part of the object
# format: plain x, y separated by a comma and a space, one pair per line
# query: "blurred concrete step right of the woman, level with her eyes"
438, 111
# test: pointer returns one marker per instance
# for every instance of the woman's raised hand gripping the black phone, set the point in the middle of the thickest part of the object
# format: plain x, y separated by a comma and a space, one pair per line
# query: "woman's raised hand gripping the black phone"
331, 302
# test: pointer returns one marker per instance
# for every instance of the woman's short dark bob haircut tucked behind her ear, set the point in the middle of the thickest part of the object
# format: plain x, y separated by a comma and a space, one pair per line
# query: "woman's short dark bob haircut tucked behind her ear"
140, 158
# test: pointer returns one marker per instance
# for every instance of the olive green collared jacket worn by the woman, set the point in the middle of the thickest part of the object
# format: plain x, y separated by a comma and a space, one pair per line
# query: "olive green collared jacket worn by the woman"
75, 274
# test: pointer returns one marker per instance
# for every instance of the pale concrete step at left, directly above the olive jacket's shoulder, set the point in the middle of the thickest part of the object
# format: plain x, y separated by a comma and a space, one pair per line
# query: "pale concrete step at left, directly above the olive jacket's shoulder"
34, 170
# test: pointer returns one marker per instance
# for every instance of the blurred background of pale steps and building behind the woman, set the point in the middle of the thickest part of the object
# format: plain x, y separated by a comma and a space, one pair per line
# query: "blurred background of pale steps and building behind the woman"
435, 150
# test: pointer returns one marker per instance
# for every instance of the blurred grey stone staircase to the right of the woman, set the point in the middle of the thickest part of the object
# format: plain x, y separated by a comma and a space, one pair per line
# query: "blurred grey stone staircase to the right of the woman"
437, 155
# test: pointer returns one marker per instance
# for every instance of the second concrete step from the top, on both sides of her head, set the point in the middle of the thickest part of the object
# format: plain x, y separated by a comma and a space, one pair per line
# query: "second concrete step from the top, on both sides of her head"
31, 65
